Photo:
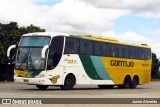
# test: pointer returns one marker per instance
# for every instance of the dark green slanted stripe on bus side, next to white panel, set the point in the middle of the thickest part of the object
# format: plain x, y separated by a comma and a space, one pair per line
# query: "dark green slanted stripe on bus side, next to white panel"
89, 67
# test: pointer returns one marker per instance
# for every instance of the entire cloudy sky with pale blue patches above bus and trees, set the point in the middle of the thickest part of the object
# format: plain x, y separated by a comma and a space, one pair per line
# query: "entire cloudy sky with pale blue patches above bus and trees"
131, 21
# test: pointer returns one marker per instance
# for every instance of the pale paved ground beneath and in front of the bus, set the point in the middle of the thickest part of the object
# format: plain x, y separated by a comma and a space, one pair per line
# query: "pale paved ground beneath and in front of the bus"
14, 90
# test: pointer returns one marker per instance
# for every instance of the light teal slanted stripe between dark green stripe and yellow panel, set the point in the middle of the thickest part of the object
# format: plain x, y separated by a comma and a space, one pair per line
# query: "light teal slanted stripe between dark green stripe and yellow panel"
100, 68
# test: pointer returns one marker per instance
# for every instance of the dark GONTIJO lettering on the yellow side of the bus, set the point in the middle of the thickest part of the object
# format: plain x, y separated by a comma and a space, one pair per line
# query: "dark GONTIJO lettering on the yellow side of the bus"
122, 63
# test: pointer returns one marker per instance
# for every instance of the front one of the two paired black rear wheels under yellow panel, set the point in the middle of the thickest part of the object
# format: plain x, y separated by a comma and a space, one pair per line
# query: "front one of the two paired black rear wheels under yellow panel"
126, 83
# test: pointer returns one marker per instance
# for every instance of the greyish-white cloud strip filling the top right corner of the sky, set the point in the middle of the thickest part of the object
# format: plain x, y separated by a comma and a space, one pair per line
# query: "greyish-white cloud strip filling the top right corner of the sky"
145, 8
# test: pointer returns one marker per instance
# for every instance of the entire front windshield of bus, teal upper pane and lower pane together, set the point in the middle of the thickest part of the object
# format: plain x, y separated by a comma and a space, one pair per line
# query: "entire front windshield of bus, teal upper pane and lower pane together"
29, 53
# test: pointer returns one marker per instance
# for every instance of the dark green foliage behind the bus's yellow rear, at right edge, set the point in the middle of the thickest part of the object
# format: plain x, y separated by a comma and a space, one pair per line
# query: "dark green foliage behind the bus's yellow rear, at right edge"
155, 66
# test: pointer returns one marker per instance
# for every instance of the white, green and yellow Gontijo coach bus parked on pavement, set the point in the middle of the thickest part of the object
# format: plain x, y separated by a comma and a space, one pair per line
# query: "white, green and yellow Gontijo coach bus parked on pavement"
65, 60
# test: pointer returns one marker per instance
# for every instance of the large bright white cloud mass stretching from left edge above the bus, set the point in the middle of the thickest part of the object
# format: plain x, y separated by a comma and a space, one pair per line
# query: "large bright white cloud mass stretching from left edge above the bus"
66, 16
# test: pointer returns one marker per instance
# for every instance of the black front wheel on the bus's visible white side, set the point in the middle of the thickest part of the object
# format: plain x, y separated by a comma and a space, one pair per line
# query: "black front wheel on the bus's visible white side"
68, 83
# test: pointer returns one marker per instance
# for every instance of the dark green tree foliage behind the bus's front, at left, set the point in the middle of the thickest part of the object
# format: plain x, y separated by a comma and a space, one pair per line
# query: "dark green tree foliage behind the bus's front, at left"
10, 34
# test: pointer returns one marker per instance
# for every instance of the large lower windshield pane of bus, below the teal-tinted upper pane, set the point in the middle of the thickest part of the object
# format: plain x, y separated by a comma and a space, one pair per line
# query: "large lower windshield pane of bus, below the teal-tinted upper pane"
30, 59
